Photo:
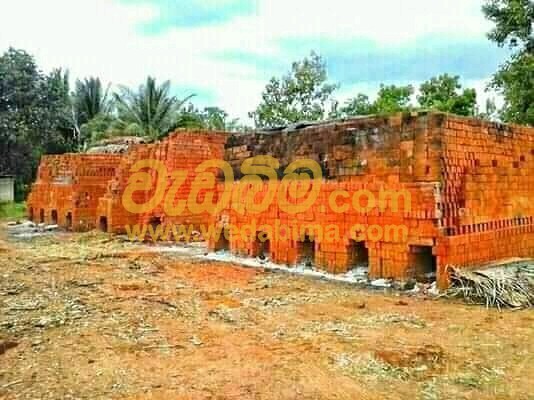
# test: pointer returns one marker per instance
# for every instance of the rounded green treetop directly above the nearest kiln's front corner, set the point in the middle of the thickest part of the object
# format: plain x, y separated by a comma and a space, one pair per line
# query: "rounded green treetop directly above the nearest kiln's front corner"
444, 93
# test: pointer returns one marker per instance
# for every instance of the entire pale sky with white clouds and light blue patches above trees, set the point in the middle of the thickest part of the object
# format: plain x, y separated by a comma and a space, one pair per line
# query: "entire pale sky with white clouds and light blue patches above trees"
226, 50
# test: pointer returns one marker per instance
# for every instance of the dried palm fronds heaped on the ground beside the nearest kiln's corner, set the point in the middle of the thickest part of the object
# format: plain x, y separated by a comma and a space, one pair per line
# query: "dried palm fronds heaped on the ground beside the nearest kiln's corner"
505, 287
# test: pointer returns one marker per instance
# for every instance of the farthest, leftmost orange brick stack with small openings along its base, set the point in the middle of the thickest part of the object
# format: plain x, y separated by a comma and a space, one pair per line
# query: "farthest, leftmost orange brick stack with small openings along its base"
68, 188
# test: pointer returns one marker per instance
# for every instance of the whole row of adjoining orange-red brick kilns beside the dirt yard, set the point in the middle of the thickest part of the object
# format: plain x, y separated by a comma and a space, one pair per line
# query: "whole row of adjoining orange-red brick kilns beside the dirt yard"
470, 182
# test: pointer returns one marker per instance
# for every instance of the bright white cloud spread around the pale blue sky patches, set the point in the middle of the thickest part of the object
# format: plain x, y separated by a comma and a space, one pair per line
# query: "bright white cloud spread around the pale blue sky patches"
101, 37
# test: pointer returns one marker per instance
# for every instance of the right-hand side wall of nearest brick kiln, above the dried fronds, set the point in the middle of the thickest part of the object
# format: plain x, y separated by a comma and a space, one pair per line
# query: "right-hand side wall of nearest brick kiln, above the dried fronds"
488, 192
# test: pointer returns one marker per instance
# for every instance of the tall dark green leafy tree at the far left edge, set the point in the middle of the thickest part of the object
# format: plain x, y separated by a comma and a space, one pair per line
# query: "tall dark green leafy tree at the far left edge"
34, 115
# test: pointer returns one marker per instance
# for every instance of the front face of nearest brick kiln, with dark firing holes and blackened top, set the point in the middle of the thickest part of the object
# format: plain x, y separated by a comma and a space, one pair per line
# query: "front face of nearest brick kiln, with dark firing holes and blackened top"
374, 154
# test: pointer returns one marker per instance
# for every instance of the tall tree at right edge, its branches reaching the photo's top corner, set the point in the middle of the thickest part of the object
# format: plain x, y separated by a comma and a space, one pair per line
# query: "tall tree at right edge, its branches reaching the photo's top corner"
514, 21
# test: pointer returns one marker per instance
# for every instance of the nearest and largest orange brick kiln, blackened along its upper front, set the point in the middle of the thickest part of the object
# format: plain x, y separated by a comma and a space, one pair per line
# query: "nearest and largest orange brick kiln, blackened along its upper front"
472, 187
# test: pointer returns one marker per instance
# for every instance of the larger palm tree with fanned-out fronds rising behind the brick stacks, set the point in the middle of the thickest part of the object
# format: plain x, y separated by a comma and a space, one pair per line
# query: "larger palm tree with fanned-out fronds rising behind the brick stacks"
152, 108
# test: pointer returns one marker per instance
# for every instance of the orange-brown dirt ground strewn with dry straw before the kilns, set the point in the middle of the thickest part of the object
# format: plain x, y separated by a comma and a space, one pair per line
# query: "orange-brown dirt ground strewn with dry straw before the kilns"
90, 317
